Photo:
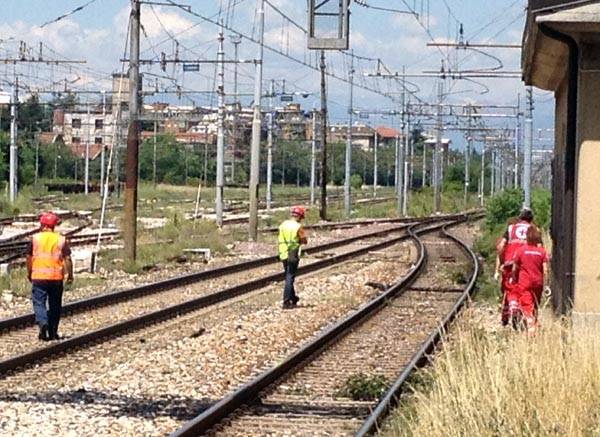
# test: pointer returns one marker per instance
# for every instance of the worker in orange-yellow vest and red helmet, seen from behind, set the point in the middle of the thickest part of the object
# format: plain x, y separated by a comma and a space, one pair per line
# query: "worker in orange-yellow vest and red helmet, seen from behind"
48, 260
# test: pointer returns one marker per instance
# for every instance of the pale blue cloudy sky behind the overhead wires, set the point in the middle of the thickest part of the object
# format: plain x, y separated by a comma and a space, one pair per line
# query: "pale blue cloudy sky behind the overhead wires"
98, 32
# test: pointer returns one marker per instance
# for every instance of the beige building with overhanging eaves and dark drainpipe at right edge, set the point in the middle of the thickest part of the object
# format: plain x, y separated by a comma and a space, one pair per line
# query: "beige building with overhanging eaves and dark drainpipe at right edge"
561, 53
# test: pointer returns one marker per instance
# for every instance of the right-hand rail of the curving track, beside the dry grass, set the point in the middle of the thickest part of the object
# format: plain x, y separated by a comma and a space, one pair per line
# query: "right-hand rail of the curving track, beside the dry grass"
421, 357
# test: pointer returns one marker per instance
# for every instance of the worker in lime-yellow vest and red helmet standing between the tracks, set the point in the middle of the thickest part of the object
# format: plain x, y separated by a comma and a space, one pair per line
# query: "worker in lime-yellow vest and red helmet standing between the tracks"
291, 238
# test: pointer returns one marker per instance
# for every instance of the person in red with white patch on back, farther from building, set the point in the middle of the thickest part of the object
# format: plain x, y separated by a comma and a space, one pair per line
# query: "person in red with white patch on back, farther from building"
514, 238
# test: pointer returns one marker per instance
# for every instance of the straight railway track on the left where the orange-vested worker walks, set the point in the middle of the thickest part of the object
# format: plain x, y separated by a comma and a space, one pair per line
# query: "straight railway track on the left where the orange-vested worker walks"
137, 308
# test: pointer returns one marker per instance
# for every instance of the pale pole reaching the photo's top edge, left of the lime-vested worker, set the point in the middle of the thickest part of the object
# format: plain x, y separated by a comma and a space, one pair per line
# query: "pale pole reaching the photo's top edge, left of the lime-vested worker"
256, 129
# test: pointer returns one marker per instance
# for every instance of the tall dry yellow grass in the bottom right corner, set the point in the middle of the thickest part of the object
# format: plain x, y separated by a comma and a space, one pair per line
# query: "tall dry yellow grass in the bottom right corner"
503, 383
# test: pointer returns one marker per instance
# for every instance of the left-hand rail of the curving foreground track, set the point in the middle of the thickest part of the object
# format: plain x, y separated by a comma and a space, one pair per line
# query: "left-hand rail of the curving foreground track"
250, 391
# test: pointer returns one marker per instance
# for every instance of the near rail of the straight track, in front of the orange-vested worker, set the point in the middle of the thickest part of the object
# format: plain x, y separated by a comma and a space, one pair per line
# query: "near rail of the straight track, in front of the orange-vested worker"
154, 317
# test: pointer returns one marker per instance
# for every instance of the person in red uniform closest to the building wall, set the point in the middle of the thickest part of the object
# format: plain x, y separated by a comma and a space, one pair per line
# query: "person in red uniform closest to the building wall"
530, 271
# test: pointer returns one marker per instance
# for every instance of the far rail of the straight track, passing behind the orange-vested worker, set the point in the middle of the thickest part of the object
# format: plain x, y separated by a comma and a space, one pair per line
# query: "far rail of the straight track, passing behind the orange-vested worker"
179, 281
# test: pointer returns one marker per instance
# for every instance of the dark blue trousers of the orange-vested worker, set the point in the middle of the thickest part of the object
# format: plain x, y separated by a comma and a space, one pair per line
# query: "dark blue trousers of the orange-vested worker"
46, 297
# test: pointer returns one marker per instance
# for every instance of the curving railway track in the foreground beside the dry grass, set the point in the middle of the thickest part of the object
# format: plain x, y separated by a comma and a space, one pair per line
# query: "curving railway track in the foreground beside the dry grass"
387, 338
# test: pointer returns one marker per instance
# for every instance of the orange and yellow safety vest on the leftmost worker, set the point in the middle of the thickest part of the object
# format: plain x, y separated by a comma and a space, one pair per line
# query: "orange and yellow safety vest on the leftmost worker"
48, 263
